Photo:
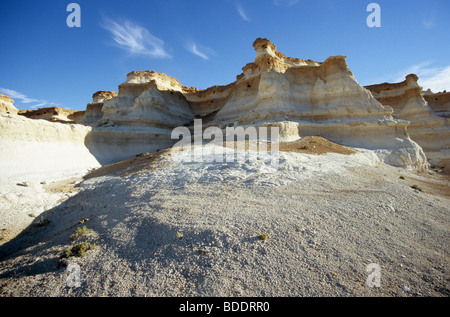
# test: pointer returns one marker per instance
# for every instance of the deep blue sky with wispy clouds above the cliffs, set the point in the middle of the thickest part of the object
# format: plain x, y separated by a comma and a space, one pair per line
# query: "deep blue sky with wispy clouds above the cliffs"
203, 43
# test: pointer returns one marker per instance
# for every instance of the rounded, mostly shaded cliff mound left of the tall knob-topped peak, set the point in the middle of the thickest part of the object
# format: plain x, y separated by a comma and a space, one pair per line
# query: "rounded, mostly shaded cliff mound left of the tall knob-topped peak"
138, 119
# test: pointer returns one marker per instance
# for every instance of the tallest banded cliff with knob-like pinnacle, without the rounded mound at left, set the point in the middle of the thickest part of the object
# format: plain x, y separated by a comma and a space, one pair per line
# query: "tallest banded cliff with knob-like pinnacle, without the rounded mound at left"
324, 99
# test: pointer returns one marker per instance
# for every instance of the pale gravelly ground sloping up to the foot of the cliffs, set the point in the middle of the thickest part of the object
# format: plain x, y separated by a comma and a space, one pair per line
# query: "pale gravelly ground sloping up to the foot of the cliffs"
167, 228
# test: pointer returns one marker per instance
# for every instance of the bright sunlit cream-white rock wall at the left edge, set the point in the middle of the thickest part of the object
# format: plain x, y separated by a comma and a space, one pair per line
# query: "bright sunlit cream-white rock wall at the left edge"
41, 148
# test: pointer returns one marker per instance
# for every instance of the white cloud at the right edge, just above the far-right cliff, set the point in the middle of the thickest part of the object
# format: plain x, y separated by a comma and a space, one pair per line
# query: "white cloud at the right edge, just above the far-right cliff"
436, 78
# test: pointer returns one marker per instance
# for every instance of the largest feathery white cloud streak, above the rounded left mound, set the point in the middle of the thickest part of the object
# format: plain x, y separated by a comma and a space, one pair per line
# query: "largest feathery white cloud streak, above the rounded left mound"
135, 39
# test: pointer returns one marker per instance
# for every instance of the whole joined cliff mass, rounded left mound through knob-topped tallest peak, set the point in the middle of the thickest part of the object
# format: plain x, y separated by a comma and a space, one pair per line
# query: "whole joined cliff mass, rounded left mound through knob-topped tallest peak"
319, 98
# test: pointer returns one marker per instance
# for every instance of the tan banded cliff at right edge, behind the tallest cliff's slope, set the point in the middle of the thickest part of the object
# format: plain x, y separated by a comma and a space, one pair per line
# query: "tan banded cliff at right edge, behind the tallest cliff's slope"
430, 131
